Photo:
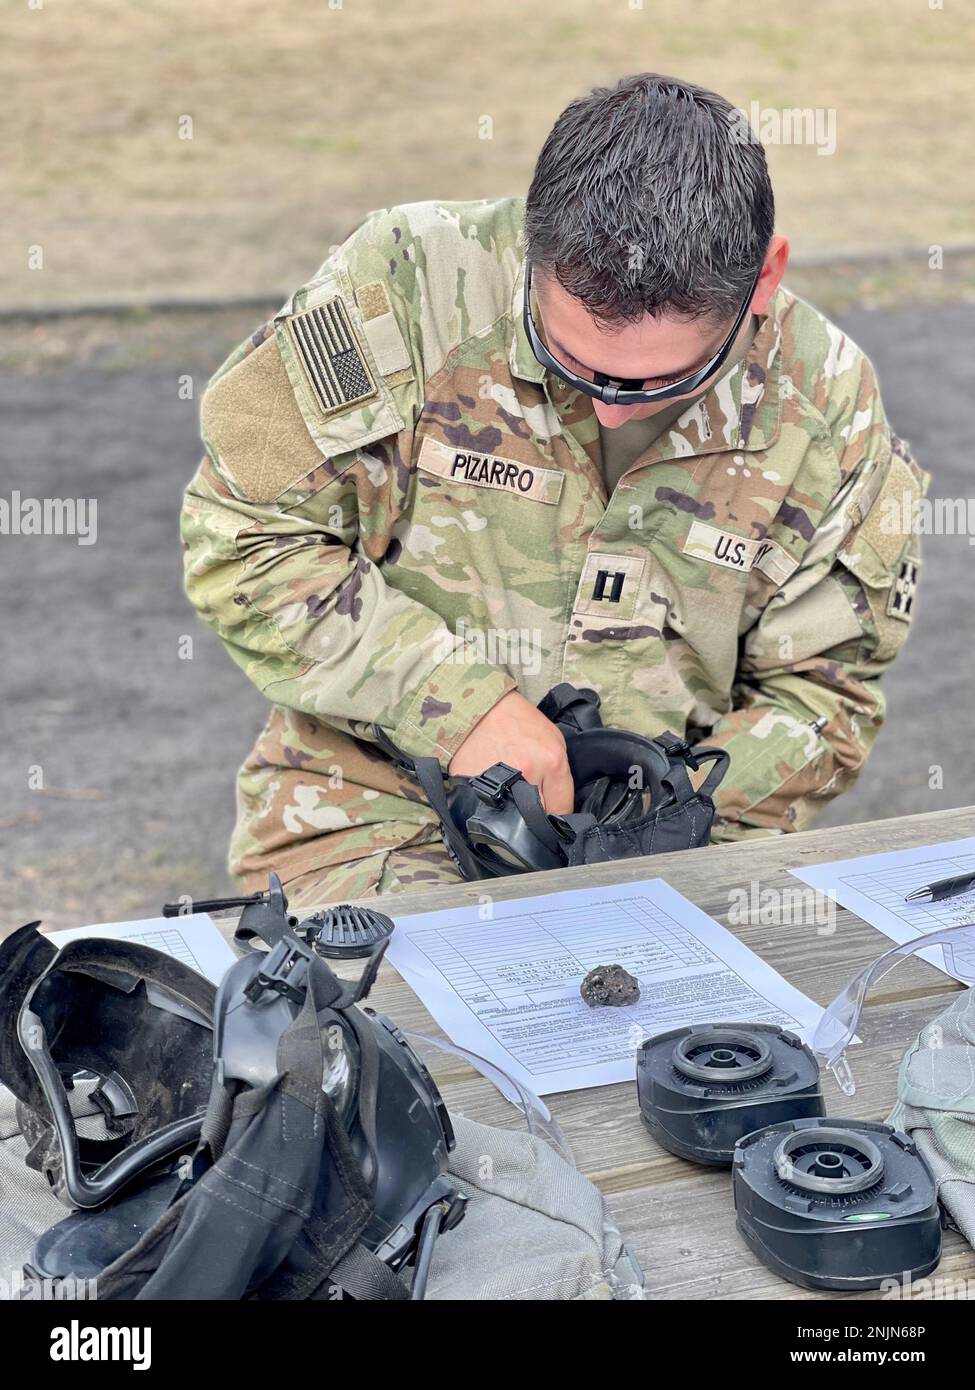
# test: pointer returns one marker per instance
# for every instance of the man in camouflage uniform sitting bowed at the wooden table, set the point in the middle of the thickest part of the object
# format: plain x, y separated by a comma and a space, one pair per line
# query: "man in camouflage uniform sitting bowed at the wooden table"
586, 437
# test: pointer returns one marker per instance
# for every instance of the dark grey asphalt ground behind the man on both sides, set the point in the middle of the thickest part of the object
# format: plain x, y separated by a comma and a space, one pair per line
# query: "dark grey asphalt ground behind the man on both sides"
119, 754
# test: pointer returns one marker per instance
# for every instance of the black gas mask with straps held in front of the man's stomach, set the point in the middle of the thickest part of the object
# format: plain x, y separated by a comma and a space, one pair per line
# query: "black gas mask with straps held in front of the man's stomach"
634, 797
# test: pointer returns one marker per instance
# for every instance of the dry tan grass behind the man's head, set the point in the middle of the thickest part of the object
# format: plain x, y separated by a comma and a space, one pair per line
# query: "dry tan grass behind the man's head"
308, 116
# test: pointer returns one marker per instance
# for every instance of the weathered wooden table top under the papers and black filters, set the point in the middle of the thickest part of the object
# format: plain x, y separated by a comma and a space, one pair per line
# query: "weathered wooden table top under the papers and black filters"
677, 1217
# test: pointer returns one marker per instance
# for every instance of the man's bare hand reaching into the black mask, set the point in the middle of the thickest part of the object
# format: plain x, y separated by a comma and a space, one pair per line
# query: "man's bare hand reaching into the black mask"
514, 732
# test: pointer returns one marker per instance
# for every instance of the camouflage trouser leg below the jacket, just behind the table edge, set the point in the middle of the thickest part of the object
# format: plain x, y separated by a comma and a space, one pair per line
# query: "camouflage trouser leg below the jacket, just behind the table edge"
389, 871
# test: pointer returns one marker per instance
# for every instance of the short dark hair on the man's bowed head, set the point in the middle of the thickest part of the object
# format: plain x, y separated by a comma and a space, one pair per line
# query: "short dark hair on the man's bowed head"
652, 197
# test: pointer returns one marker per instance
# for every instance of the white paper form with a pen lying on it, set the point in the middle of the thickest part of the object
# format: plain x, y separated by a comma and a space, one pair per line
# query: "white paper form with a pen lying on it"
876, 886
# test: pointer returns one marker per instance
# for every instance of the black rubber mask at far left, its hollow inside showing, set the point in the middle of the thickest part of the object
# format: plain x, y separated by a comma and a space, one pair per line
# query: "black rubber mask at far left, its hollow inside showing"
108, 1047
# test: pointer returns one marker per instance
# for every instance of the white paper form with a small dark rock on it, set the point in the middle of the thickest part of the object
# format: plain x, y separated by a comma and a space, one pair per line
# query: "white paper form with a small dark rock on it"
508, 988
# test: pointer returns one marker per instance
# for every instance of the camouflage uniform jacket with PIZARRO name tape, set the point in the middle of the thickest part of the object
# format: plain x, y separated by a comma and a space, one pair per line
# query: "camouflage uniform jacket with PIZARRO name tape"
401, 518
